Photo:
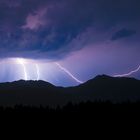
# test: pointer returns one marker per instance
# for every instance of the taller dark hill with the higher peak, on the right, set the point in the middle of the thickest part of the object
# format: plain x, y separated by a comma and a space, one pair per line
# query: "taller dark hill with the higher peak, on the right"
109, 88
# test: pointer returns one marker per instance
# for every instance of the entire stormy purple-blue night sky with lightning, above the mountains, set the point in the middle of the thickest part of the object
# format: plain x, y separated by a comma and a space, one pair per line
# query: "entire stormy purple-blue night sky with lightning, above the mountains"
67, 42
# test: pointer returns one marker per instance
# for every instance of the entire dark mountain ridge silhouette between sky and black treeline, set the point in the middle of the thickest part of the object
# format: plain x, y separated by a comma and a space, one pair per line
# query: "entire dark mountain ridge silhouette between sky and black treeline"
42, 93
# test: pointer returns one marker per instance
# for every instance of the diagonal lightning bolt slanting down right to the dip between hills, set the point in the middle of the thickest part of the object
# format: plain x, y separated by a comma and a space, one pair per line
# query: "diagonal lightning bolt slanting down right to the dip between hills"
70, 74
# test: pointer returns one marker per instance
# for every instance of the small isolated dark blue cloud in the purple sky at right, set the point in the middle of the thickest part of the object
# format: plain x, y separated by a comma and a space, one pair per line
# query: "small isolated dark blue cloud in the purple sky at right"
123, 33
